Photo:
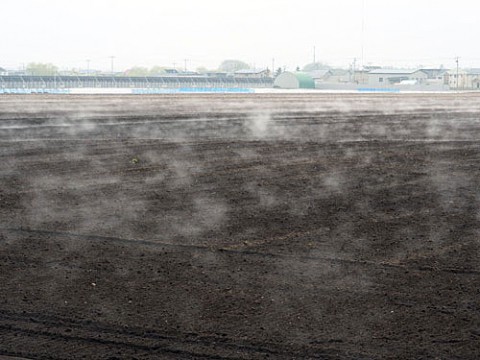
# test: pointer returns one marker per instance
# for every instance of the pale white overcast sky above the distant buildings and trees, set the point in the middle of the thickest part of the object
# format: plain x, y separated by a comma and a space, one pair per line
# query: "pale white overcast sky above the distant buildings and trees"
162, 32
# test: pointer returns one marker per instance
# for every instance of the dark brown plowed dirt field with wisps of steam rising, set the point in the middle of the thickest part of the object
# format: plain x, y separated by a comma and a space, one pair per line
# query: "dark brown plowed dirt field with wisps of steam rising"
240, 227
